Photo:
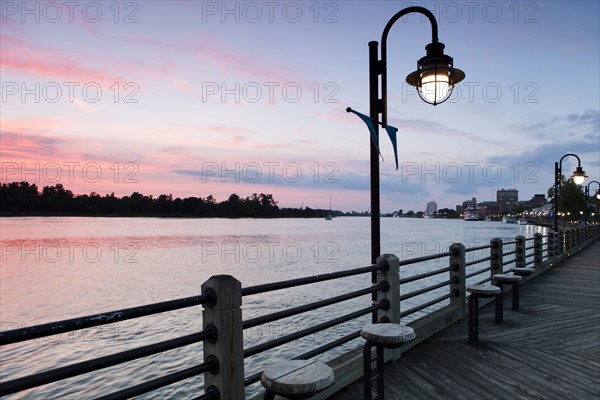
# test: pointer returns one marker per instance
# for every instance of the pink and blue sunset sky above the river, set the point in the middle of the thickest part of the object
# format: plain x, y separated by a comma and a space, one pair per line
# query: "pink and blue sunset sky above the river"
197, 98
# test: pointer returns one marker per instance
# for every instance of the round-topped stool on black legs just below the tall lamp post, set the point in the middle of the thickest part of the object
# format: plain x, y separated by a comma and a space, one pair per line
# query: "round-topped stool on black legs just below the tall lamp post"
381, 336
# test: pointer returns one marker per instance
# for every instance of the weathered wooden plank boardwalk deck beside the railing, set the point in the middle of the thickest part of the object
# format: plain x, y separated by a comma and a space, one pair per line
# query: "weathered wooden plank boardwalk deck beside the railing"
548, 349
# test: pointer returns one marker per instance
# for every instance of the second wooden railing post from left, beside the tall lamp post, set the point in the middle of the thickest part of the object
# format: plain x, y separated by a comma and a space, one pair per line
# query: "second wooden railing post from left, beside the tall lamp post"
392, 277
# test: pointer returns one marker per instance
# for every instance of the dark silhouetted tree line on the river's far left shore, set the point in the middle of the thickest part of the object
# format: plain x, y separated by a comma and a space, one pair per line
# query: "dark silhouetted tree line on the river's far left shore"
21, 198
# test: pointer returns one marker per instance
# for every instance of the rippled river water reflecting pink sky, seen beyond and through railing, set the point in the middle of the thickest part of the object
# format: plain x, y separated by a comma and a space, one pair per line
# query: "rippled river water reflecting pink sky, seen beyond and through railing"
56, 268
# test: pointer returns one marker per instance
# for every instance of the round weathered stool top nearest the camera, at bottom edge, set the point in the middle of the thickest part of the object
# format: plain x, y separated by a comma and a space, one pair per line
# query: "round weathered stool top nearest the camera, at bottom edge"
296, 379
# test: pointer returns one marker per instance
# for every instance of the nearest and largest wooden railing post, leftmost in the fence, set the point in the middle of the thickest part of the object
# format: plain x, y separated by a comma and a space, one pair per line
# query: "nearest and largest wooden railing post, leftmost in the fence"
225, 315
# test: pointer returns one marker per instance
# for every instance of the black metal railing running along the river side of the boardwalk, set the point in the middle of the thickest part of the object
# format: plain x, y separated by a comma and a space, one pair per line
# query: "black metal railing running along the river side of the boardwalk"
545, 251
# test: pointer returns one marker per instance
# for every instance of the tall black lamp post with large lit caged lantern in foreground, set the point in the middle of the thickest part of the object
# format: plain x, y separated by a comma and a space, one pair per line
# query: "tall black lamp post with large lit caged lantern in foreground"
434, 79
